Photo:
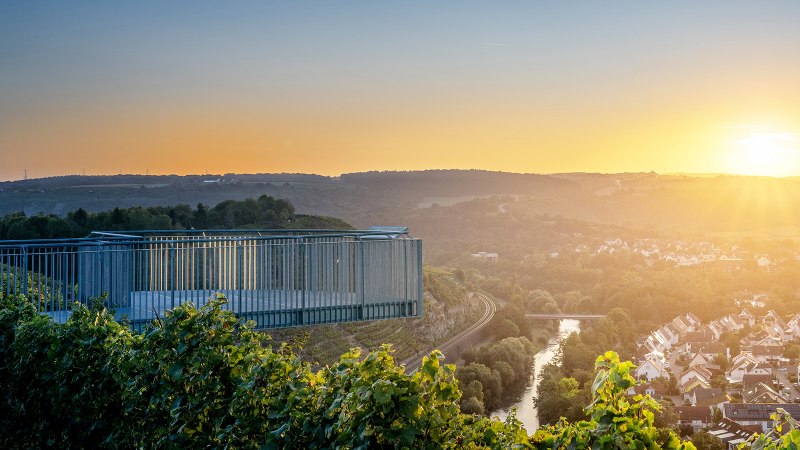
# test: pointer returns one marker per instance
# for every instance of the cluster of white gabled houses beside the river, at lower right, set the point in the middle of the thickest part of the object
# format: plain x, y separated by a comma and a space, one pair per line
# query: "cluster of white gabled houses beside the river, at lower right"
727, 376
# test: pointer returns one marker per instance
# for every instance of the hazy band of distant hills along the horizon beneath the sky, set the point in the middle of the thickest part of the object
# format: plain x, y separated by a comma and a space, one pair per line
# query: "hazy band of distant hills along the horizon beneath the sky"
678, 203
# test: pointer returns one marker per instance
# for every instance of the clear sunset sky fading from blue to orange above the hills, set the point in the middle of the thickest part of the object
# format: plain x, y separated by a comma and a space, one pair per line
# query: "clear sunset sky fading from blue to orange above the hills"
332, 87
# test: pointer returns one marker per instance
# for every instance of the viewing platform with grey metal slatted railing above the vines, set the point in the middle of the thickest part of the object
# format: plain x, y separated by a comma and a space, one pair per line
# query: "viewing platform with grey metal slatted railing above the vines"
275, 278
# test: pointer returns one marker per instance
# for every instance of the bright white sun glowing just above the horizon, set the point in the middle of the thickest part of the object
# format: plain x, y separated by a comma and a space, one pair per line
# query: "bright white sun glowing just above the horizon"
766, 154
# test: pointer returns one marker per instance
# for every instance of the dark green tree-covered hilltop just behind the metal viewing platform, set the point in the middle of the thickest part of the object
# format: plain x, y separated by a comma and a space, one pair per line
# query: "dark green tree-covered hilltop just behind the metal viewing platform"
264, 212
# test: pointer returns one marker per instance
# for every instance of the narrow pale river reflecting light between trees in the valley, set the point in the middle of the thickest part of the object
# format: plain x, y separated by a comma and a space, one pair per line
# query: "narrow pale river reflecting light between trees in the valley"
526, 411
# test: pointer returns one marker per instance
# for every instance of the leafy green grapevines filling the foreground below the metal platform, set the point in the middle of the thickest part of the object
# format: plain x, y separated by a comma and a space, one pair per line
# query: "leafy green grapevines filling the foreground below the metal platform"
200, 378
